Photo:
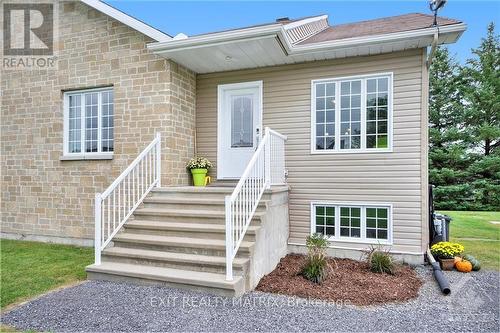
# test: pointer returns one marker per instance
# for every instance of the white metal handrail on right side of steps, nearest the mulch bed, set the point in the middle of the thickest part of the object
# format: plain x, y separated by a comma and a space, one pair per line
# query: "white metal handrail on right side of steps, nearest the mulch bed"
266, 168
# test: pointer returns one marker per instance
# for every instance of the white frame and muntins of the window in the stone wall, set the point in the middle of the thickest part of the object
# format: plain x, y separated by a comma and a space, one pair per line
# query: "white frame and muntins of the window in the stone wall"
82, 155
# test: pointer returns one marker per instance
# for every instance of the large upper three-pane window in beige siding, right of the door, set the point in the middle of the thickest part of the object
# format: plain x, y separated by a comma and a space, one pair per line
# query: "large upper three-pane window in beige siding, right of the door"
352, 114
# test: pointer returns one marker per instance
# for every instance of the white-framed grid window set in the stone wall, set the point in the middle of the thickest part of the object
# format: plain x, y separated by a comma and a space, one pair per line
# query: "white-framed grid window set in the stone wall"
89, 124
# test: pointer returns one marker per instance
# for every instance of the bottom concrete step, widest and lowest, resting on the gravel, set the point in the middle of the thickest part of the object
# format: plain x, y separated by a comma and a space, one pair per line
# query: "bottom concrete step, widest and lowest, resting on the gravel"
178, 278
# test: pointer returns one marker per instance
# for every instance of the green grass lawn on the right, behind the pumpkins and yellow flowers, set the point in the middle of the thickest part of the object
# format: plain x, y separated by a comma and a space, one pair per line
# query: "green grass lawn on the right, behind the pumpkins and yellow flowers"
466, 227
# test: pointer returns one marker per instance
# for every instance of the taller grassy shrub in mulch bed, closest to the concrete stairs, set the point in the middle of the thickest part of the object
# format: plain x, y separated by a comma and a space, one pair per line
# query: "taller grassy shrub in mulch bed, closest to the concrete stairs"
316, 267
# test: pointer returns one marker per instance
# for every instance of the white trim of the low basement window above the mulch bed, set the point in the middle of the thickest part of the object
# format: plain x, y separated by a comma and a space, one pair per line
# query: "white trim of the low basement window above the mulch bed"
363, 206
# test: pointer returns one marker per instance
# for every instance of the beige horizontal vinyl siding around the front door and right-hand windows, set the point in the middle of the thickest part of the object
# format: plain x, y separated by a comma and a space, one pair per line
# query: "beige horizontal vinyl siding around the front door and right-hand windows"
394, 178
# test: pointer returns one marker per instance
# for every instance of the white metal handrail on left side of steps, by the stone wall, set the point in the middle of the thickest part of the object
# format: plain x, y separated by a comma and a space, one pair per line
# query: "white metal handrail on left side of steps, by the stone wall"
116, 204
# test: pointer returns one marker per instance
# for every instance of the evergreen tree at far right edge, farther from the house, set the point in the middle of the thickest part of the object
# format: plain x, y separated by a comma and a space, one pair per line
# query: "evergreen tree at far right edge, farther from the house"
482, 120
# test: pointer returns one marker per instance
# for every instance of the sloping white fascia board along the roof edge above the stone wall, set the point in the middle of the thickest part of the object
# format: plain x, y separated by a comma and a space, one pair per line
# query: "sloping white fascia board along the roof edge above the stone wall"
127, 20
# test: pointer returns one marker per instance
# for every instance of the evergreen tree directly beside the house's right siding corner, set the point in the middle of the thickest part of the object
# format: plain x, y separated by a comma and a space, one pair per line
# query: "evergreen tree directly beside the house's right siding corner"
448, 159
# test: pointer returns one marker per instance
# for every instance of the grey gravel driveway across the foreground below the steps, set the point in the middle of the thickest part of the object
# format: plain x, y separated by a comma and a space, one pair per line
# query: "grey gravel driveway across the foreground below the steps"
112, 307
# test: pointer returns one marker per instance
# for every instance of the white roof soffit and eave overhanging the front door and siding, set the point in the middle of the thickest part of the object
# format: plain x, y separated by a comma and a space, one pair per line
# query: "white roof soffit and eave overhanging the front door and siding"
270, 45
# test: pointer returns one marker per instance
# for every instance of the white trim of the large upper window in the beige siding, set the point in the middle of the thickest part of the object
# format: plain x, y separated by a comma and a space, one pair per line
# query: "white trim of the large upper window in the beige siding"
337, 81
